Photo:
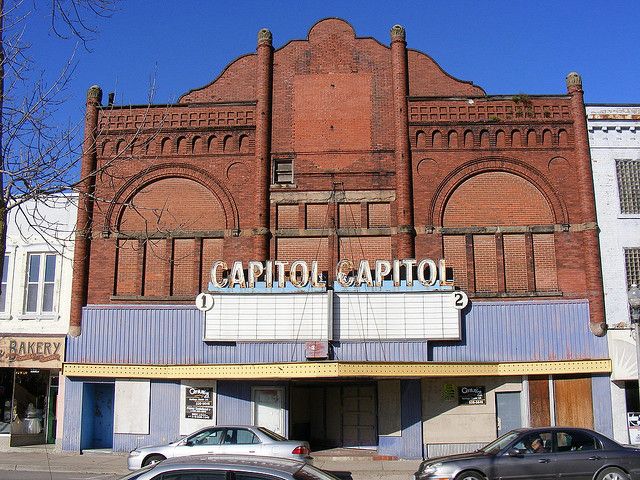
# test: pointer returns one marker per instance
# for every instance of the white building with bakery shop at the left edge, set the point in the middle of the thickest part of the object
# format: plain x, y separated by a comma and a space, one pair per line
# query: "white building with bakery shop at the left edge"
34, 319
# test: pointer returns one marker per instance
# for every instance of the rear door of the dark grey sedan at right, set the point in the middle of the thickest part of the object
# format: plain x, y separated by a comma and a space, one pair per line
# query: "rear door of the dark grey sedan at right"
579, 454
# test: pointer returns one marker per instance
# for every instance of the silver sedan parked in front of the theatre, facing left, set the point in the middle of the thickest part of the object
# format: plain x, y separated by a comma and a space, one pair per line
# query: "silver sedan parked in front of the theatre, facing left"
235, 440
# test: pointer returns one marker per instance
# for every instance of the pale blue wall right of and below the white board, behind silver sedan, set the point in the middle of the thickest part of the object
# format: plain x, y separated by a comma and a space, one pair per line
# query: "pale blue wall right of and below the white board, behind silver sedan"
165, 405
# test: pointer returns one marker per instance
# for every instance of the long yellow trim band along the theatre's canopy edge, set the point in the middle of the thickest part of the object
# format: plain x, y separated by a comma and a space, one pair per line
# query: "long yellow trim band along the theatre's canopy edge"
336, 370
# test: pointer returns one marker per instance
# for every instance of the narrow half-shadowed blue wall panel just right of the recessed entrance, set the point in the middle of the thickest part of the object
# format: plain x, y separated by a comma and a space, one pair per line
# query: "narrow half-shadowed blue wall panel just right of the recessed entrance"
411, 415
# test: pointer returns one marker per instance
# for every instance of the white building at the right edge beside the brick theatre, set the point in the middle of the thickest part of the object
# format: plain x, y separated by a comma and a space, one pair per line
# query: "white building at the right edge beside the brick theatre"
614, 136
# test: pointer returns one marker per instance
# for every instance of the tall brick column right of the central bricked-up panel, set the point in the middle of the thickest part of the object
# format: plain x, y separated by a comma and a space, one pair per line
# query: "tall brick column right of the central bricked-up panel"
404, 196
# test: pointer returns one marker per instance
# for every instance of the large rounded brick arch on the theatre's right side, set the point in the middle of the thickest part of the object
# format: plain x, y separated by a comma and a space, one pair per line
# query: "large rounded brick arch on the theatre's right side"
448, 187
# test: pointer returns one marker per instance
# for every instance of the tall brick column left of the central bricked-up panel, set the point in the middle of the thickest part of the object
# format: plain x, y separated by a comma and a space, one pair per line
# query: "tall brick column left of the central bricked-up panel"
264, 83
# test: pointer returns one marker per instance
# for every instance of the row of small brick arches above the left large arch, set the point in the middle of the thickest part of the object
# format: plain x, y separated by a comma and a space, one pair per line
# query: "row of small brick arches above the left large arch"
181, 145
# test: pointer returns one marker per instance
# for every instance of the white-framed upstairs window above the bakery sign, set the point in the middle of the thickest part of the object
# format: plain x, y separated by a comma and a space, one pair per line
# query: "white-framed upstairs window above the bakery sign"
41, 275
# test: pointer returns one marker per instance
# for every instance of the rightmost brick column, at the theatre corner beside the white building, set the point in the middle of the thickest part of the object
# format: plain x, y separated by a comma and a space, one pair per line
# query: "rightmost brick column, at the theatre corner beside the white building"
589, 229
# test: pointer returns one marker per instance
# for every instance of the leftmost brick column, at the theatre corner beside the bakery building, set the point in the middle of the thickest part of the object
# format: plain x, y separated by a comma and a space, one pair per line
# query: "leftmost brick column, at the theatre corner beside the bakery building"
85, 190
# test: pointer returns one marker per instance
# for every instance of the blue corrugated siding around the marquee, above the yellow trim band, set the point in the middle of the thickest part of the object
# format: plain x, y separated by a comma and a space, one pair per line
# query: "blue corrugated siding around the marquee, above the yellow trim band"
492, 332
